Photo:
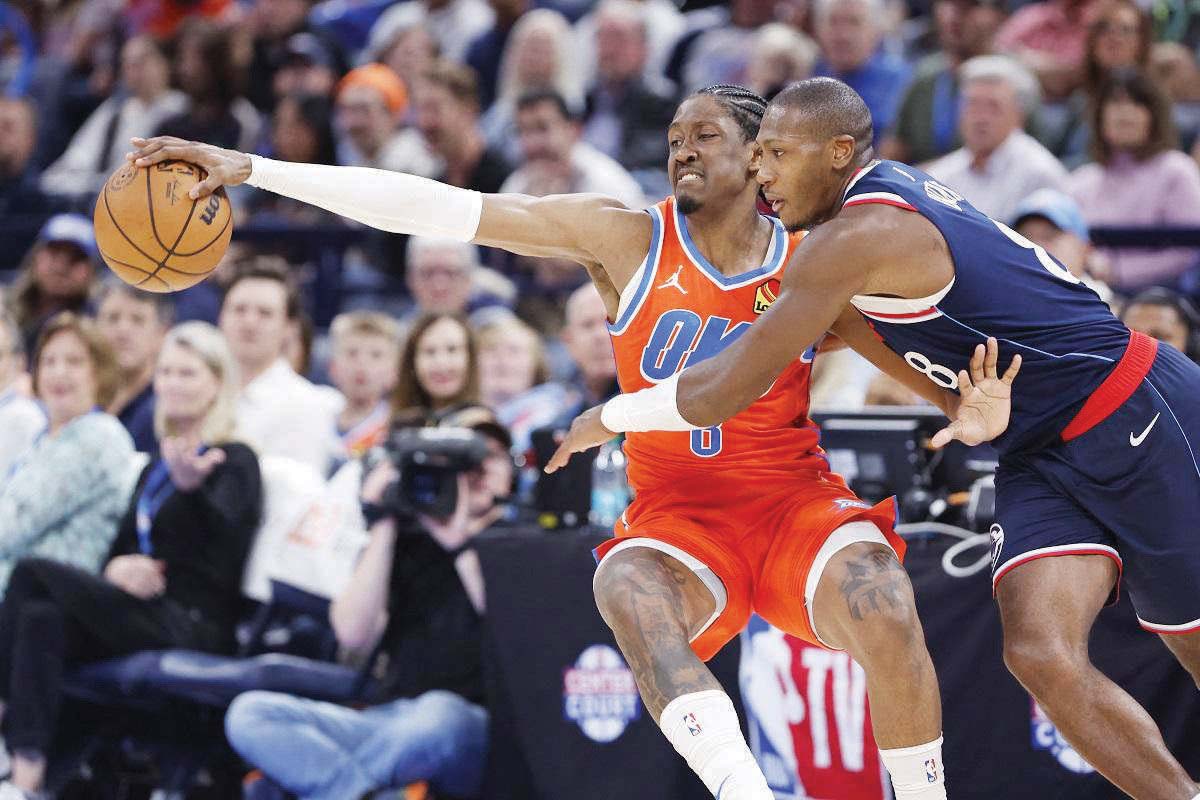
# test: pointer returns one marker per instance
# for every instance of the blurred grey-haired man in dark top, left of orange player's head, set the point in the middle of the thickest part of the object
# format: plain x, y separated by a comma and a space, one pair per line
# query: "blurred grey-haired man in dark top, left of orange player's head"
628, 109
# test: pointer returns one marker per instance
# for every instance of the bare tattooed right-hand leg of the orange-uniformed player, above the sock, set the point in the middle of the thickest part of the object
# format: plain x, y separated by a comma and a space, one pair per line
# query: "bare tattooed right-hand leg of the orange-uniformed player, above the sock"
865, 605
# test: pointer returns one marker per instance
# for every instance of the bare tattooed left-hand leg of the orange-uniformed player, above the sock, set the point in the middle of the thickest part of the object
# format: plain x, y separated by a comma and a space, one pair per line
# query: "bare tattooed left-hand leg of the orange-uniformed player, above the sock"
655, 605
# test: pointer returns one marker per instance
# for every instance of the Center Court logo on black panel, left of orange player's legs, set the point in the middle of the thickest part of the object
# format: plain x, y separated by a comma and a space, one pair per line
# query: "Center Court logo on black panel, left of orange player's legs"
601, 695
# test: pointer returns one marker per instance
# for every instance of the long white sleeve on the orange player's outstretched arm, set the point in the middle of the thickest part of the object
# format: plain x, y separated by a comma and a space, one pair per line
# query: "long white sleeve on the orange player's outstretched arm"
393, 202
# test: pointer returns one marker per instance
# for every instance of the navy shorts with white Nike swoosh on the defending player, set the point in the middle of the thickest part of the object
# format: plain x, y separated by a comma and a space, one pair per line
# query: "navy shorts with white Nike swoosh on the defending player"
1129, 489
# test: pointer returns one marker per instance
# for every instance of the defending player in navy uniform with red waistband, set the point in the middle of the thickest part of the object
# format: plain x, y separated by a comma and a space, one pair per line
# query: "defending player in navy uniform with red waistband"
1099, 476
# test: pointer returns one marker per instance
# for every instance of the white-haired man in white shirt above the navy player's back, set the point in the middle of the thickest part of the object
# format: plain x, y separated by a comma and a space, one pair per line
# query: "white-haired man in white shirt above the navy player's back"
1000, 165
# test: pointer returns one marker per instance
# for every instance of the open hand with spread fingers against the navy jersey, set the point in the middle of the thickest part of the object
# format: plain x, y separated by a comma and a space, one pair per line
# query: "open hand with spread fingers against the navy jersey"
985, 400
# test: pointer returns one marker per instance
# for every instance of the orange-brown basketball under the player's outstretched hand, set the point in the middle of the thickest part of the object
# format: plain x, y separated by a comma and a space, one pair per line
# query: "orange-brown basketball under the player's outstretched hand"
153, 236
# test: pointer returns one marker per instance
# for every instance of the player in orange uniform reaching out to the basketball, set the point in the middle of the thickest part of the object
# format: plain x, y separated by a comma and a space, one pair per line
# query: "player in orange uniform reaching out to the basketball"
737, 518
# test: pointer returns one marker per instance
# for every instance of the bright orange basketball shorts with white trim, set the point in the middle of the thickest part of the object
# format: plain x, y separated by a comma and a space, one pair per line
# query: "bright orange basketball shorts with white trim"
759, 539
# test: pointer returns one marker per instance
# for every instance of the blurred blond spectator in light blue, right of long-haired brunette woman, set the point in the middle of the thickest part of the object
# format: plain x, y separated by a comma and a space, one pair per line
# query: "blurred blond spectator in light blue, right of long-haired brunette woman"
514, 378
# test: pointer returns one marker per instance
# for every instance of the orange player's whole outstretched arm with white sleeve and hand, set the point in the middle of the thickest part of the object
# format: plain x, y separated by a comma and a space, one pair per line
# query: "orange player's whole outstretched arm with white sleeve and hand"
591, 230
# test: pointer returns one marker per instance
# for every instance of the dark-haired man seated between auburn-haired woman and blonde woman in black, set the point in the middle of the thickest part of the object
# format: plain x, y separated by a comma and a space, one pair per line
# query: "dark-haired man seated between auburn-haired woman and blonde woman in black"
135, 323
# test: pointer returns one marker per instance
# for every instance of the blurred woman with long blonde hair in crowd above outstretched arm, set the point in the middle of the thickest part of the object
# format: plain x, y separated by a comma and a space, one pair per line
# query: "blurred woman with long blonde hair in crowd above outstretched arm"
538, 57
